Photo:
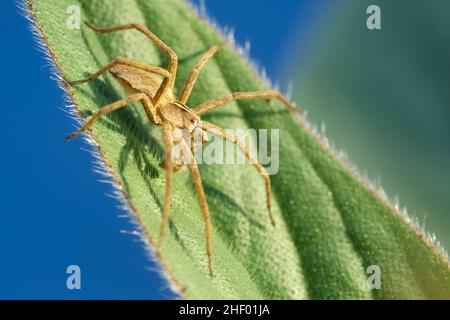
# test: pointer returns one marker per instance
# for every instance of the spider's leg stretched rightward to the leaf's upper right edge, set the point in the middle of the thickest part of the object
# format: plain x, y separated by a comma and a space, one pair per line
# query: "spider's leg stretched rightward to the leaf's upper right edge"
208, 106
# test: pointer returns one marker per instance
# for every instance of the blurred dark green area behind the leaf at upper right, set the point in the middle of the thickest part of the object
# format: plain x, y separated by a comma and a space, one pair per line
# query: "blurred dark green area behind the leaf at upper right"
384, 97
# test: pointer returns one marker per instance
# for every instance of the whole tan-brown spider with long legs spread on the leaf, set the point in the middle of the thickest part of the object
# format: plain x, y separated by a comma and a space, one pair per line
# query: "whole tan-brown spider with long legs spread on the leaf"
153, 87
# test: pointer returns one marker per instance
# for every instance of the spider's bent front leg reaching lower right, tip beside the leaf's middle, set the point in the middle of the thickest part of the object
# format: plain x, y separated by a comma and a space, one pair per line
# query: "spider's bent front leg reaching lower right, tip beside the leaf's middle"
262, 171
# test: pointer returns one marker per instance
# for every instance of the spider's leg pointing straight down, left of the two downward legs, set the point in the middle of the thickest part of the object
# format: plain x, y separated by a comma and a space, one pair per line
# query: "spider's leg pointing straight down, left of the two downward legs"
168, 165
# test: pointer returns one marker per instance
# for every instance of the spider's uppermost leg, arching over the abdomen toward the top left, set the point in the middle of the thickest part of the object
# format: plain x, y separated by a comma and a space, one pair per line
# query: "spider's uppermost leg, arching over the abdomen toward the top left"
173, 59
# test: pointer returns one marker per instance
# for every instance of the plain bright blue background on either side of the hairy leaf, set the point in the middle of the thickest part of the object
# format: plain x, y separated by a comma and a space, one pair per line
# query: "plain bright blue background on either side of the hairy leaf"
54, 212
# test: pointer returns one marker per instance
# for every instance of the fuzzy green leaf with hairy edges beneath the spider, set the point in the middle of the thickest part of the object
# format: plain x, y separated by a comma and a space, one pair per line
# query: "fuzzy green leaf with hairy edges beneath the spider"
331, 225
